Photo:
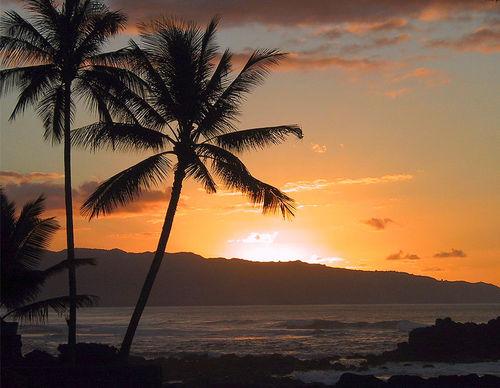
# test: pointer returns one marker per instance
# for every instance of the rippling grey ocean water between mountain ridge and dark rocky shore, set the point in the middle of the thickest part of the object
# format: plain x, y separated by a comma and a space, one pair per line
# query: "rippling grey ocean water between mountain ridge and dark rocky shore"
302, 331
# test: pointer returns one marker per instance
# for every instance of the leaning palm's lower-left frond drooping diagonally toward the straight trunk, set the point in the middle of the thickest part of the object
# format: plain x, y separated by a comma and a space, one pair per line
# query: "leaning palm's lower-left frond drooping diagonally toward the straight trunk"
127, 185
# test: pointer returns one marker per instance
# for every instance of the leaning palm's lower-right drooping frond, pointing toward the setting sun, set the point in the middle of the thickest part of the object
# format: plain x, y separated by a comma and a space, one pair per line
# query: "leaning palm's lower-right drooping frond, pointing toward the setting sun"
236, 176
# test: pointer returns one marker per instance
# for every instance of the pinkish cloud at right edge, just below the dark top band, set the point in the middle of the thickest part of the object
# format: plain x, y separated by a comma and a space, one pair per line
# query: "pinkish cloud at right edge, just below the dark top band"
485, 40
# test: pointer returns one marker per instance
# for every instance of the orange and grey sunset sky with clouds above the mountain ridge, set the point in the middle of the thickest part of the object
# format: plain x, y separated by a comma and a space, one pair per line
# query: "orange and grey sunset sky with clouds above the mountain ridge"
399, 167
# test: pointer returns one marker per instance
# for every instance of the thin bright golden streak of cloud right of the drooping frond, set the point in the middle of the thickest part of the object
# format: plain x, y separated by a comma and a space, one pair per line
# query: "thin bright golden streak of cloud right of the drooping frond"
320, 184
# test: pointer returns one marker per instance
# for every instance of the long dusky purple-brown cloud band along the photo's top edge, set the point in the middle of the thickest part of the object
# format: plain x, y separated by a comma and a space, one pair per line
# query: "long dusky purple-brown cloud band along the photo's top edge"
389, 15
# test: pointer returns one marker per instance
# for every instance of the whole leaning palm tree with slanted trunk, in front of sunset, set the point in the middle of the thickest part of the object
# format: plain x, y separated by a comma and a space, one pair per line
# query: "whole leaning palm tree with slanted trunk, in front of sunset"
188, 118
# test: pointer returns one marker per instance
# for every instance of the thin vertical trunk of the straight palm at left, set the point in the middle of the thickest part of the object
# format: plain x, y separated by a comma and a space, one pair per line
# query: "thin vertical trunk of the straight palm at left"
70, 242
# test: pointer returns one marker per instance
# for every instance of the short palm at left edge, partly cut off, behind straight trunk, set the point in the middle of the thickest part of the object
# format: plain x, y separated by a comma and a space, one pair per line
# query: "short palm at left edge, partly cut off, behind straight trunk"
23, 241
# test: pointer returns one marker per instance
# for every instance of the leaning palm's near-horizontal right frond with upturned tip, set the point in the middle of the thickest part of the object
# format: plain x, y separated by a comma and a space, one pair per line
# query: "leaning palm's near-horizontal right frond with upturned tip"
256, 138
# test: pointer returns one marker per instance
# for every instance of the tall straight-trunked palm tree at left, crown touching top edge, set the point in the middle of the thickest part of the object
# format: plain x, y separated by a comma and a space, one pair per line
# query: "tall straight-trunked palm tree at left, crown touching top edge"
53, 57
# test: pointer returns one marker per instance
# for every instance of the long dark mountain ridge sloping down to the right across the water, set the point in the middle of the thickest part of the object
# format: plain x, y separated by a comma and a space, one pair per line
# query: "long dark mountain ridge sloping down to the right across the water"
189, 279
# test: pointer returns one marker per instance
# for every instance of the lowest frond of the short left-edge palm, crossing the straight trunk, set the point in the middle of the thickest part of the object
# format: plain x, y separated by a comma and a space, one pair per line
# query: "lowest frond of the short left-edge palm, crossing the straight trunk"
39, 311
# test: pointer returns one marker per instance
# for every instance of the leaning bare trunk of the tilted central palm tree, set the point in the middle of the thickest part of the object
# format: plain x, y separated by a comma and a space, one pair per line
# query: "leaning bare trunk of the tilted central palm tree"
155, 265
